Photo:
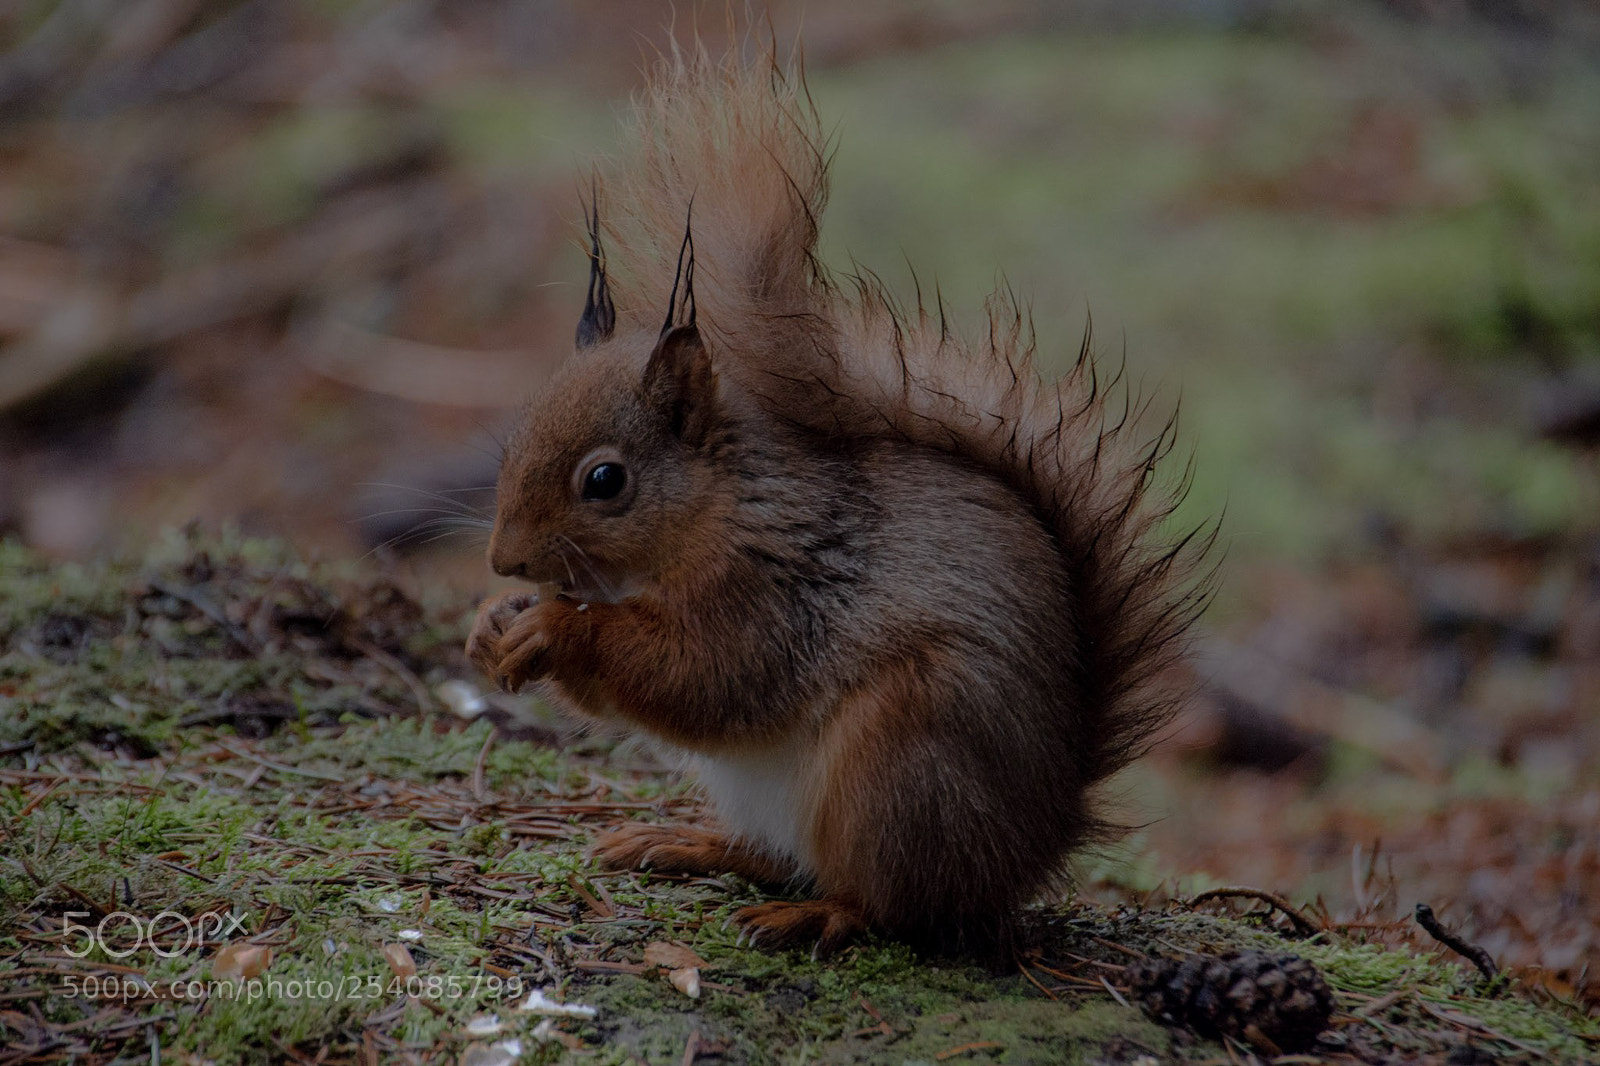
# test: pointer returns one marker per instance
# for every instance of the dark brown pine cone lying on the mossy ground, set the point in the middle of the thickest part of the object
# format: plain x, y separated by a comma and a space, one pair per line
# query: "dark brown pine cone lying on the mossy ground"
1242, 995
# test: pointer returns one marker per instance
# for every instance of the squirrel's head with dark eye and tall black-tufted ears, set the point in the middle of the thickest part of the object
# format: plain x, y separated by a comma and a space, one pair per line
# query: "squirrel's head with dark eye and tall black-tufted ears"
610, 468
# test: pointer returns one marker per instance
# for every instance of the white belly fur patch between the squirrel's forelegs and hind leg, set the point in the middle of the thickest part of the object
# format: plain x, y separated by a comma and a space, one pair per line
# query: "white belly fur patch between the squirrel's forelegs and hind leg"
766, 798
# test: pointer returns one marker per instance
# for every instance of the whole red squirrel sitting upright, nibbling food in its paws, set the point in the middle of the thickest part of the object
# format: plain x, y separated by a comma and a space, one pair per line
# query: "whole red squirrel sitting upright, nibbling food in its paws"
900, 603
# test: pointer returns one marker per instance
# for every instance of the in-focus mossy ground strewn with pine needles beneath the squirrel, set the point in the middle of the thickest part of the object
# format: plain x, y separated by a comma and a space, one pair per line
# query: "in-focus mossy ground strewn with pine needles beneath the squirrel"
218, 761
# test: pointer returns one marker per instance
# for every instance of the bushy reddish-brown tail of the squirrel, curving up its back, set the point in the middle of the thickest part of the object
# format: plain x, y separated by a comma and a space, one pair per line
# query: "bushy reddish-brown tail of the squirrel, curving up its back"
839, 358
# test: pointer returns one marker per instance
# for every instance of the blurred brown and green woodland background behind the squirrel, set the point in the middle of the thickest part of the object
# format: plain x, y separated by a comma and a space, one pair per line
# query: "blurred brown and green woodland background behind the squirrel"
294, 265
